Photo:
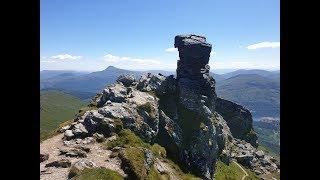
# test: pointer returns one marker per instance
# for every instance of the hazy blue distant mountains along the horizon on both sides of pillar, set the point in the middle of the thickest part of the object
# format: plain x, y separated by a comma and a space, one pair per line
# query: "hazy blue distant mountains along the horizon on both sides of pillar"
258, 90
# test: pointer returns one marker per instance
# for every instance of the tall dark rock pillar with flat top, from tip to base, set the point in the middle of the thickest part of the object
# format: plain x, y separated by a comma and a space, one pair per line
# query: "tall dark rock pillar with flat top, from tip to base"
196, 104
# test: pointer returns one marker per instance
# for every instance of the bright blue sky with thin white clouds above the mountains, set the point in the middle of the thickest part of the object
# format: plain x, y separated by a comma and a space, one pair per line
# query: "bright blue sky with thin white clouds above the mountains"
91, 35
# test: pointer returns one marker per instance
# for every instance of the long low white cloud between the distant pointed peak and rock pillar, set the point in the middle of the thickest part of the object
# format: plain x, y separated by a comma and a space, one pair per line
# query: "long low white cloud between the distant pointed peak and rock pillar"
136, 63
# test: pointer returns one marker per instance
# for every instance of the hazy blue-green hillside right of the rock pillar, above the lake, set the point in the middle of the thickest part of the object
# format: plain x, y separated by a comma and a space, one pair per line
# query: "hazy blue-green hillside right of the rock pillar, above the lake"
259, 94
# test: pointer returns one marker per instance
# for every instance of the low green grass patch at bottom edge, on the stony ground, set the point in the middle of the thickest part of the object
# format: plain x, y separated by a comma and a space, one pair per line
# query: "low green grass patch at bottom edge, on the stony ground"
98, 174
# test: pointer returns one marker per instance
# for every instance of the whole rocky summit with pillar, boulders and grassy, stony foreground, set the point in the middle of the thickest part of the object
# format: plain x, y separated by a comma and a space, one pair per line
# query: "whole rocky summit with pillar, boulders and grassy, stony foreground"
183, 115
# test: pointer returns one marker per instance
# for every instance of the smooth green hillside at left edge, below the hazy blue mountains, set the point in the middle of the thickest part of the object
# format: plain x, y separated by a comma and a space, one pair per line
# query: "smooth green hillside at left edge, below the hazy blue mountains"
56, 107
